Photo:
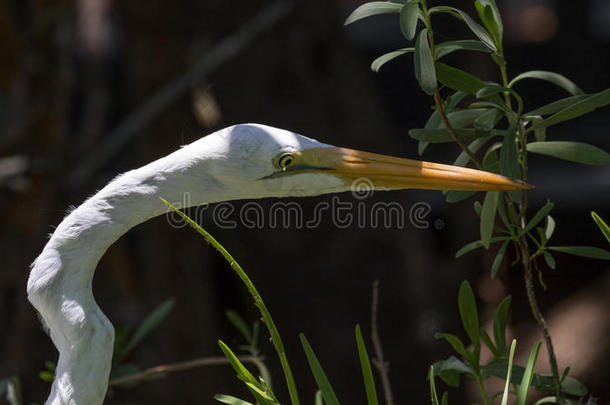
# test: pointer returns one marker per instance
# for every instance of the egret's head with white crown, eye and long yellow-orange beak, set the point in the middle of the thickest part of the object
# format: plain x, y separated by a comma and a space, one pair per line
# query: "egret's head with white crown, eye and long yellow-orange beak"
262, 161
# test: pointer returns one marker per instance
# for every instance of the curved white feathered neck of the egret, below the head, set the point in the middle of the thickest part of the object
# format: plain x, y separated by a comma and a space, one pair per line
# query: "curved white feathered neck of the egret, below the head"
60, 282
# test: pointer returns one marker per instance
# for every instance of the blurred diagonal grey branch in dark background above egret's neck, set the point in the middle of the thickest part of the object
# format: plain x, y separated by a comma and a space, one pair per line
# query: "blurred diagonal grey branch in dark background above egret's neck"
210, 61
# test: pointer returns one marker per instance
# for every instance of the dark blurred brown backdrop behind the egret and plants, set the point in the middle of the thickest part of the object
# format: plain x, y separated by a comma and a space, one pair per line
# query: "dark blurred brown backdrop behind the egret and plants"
91, 88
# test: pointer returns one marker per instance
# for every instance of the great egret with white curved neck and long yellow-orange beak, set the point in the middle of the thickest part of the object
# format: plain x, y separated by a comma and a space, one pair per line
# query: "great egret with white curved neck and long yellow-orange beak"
245, 161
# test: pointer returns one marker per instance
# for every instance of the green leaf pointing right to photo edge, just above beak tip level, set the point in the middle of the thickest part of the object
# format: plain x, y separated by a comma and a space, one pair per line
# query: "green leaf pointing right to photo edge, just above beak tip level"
572, 151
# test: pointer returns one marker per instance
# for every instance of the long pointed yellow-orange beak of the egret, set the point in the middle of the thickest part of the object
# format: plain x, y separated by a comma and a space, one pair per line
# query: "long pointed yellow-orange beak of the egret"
387, 172
